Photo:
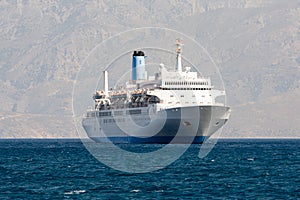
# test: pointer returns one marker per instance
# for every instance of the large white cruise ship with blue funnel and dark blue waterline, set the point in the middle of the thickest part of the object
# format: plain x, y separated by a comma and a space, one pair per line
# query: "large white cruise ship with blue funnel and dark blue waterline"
172, 106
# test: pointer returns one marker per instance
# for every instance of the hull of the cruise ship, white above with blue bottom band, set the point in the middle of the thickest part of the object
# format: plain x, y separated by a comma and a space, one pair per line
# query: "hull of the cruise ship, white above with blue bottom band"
143, 125
